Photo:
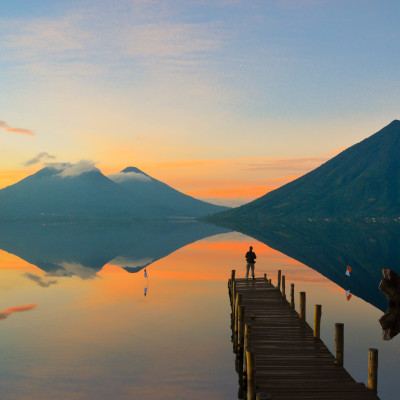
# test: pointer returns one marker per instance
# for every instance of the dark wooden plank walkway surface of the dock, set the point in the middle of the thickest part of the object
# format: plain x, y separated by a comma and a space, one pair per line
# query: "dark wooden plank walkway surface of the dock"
289, 362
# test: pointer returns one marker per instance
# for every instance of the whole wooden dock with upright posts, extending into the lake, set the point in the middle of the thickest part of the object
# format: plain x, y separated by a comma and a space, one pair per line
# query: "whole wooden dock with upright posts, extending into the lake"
279, 356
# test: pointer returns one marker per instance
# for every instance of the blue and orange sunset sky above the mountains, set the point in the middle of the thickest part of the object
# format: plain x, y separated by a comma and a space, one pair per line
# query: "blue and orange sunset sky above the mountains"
223, 100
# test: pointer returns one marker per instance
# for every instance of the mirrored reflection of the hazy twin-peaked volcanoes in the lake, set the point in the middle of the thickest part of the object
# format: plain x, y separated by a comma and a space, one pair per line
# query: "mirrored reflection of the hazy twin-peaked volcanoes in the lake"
82, 249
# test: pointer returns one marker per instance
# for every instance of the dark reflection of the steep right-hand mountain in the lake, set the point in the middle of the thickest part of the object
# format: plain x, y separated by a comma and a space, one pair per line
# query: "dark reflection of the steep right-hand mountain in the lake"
329, 247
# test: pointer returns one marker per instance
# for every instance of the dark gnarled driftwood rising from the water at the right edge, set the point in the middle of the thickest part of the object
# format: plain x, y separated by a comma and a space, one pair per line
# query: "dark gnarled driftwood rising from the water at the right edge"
390, 321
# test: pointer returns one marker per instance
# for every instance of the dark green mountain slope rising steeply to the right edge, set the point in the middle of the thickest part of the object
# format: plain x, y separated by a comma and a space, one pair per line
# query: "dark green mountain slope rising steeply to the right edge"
362, 181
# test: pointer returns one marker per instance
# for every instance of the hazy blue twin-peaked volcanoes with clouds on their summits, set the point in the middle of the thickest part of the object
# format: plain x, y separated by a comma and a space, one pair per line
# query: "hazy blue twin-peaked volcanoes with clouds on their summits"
82, 191
